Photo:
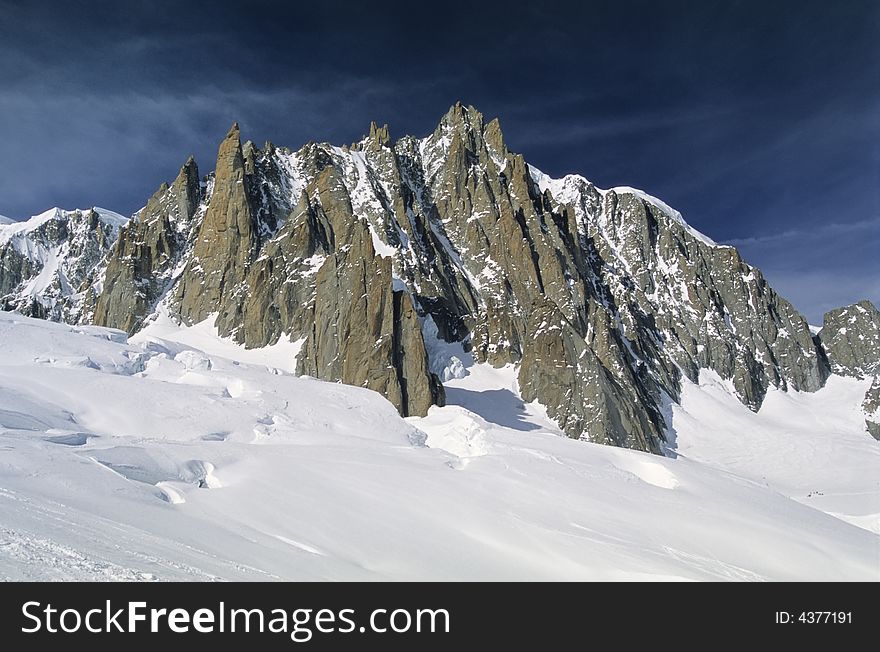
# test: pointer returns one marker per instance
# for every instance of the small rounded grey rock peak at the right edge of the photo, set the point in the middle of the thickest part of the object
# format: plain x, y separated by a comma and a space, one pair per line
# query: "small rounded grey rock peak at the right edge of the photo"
851, 339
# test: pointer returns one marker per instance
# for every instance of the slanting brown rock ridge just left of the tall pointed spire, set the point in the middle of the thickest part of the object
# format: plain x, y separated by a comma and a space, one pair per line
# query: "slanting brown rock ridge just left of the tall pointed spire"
141, 267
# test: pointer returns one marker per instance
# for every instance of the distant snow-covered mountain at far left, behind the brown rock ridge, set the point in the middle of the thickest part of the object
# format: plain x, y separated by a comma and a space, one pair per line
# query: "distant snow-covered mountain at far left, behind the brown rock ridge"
46, 259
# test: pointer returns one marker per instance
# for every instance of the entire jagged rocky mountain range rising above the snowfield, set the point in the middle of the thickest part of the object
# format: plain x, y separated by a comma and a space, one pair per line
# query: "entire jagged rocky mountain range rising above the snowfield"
387, 262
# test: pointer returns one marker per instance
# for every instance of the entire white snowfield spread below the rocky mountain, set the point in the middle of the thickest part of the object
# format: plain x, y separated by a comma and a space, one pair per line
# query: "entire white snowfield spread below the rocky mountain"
180, 456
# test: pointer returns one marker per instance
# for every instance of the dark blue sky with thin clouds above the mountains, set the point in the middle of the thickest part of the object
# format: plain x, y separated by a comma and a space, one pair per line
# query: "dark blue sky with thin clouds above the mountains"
760, 121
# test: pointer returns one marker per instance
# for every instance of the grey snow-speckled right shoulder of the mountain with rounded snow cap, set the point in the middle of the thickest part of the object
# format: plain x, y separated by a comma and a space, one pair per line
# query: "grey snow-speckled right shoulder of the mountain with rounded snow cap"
684, 301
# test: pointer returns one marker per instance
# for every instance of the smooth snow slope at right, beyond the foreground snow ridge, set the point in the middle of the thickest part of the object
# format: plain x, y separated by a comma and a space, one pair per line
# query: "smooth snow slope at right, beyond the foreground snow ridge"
811, 447
